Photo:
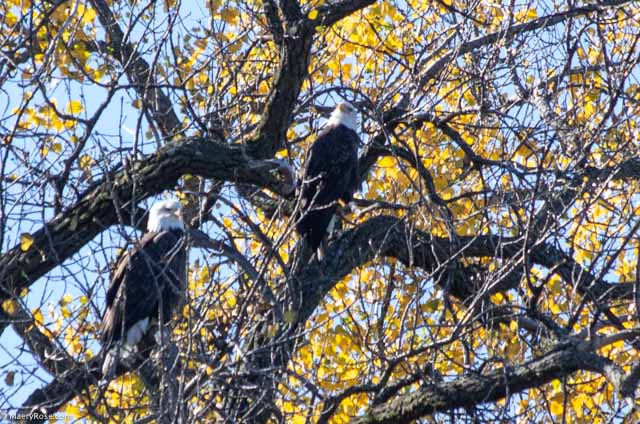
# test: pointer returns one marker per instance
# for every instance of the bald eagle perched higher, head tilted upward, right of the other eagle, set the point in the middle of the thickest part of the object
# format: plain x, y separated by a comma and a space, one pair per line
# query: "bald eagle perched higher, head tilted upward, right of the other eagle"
330, 175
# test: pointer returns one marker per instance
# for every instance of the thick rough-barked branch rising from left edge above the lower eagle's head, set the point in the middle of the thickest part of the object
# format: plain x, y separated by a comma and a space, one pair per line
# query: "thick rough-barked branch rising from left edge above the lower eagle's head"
65, 234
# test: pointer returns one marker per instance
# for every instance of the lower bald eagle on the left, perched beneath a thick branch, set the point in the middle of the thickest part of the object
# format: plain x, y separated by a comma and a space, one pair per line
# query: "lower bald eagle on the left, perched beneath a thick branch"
147, 284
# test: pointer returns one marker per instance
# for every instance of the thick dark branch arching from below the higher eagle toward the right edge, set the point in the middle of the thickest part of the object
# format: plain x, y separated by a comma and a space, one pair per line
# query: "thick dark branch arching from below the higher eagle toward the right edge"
392, 237
